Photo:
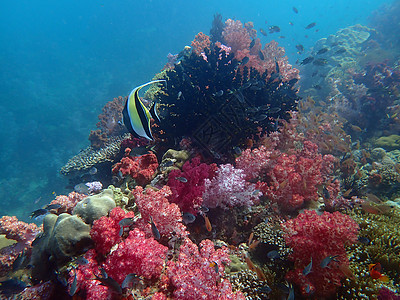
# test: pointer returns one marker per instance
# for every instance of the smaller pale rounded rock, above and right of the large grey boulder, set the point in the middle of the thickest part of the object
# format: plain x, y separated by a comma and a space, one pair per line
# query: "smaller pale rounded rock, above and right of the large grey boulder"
94, 207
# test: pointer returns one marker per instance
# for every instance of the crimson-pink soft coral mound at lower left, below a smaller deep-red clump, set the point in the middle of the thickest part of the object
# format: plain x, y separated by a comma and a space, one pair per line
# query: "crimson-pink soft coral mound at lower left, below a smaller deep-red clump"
136, 254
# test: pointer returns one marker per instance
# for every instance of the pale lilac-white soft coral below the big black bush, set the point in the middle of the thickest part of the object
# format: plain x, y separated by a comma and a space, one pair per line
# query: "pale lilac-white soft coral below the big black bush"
229, 189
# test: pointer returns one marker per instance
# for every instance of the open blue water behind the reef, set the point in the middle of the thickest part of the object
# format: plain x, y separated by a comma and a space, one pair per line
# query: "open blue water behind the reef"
61, 61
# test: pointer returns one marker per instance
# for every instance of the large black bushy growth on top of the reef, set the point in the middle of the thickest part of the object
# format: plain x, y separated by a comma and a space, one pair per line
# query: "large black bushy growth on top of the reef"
219, 104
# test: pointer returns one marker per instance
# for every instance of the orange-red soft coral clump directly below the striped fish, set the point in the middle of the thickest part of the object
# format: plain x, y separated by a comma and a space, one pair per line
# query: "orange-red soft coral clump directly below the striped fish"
141, 168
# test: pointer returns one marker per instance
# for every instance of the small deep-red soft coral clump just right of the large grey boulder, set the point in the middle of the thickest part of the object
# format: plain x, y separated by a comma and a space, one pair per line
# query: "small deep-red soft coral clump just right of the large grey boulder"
105, 231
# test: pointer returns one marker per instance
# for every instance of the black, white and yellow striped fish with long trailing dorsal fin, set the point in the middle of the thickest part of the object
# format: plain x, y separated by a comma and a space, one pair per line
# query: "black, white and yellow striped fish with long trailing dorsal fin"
136, 116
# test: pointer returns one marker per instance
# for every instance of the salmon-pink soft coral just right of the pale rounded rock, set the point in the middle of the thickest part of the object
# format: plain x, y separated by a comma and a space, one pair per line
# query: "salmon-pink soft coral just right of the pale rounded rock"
165, 215
